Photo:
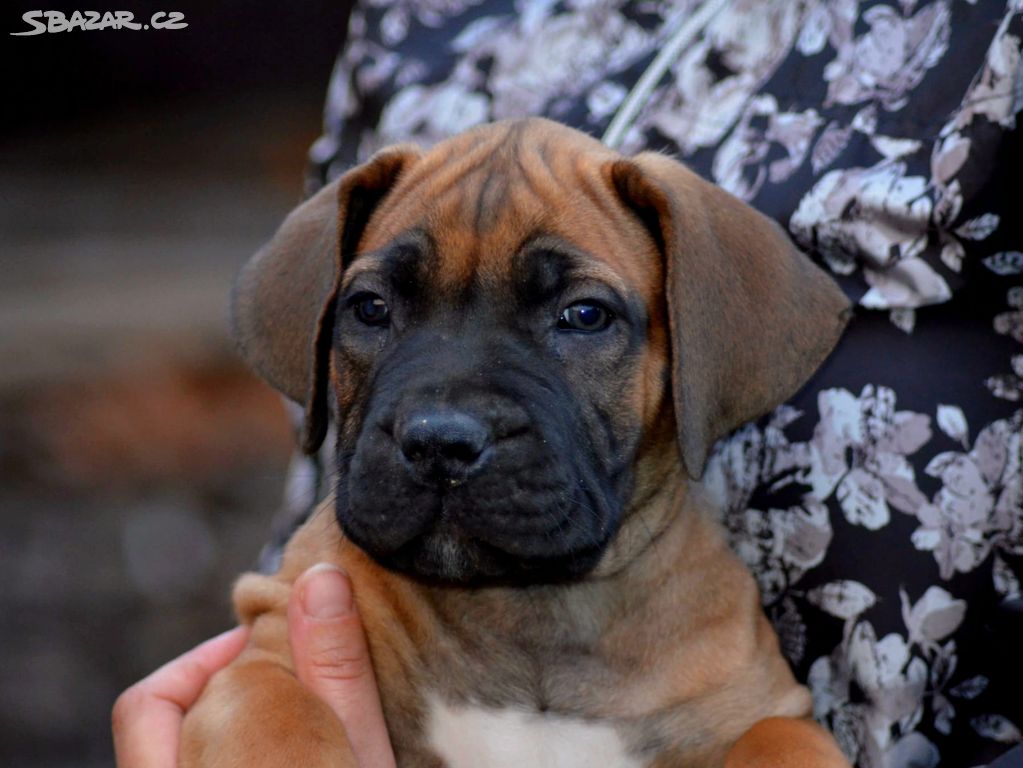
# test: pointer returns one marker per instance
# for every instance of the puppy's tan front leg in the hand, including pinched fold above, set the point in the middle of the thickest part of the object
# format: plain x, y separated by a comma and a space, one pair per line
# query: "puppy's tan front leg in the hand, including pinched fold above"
255, 713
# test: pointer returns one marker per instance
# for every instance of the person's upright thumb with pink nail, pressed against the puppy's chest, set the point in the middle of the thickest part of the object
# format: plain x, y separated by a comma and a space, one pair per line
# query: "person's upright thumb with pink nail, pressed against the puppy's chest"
332, 659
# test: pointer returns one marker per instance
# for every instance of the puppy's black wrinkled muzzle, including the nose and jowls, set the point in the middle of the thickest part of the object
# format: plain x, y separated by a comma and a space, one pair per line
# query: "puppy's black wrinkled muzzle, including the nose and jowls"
466, 471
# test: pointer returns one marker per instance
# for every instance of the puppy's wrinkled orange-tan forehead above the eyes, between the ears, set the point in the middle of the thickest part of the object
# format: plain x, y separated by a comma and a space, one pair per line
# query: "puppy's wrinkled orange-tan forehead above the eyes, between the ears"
518, 211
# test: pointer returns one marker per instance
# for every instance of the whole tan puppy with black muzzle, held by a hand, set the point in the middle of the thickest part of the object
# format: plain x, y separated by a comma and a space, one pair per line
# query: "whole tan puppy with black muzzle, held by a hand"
530, 344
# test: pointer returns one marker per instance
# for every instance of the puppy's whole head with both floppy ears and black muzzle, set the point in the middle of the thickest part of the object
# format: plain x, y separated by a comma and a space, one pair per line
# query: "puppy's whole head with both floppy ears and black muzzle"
515, 328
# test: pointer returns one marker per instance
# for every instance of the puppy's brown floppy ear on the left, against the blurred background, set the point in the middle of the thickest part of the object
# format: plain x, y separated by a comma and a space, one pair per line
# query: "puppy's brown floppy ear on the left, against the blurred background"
283, 307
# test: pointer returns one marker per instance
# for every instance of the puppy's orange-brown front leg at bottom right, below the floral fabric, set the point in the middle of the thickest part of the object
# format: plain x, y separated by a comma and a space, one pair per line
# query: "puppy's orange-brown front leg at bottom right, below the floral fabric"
786, 743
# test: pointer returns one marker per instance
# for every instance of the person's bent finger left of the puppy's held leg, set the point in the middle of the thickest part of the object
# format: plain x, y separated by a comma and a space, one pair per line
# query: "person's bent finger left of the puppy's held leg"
148, 716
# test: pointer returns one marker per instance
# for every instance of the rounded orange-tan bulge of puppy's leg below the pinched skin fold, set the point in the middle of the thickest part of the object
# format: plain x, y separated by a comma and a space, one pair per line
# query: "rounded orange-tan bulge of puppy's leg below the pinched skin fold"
257, 715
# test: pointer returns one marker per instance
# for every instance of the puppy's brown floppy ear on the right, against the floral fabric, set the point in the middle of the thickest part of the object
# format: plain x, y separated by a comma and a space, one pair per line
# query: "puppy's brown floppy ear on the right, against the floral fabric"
751, 318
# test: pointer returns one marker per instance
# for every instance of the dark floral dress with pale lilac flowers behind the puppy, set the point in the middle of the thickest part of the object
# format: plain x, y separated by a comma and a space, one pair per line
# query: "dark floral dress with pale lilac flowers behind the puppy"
882, 508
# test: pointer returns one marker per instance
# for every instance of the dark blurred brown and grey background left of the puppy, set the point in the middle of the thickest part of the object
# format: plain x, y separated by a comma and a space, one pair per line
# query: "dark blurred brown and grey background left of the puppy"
141, 464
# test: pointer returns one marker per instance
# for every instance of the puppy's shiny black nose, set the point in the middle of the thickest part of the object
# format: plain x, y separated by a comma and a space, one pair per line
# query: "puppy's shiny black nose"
442, 444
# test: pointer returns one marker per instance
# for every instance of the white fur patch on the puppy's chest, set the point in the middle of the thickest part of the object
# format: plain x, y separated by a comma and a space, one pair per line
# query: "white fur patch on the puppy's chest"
472, 737
